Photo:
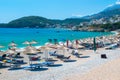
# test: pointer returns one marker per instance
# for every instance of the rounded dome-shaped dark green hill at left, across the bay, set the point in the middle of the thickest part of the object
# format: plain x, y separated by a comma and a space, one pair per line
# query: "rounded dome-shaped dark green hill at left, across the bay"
30, 21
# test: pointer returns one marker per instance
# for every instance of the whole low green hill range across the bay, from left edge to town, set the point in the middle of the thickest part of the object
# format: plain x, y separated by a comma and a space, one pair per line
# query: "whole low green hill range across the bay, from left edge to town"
41, 22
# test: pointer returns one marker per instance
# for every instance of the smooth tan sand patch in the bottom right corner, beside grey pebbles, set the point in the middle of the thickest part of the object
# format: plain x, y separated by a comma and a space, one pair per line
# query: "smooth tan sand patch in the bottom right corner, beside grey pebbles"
107, 71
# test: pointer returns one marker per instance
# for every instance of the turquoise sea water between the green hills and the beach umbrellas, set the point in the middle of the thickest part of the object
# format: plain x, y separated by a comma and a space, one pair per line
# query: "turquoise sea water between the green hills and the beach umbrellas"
41, 35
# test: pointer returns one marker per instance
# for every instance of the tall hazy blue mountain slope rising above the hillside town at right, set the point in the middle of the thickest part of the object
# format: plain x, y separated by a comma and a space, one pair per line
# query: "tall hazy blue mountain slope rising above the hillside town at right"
108, 12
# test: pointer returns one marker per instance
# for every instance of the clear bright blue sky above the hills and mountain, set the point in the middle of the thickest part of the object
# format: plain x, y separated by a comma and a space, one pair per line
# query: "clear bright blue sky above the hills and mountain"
52, 9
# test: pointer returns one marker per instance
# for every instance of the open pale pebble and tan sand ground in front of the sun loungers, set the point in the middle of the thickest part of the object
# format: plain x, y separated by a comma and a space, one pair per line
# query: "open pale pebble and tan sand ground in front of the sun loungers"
89, 67
